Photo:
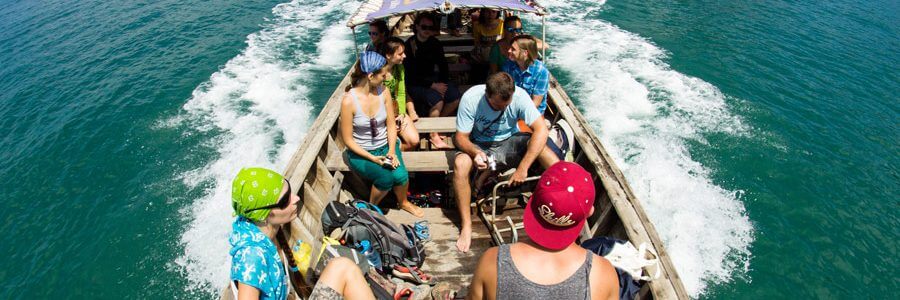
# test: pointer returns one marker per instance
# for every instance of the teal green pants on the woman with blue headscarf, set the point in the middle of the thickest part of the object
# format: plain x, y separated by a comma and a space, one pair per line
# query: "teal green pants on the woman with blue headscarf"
384, 179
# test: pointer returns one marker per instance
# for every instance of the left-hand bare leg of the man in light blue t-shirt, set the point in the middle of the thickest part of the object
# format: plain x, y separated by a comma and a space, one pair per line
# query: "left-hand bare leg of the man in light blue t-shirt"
462, 166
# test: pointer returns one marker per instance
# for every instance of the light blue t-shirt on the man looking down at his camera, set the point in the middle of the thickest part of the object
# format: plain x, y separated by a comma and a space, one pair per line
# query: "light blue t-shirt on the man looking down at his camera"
484, 123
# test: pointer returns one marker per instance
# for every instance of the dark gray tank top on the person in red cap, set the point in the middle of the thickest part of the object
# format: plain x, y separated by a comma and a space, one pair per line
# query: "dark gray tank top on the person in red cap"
513, 285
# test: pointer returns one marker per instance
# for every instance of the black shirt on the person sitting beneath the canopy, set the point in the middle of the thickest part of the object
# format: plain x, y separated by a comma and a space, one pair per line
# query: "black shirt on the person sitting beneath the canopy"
421, 58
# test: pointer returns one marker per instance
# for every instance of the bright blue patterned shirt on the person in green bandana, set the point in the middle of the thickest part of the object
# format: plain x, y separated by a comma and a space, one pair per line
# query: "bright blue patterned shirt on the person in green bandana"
255, 260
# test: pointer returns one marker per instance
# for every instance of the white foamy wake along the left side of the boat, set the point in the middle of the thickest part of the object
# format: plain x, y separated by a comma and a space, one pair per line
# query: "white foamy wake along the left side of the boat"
257, 106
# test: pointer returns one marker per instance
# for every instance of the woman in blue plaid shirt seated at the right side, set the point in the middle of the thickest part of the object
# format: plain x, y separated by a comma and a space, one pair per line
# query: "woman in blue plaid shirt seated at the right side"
527, 70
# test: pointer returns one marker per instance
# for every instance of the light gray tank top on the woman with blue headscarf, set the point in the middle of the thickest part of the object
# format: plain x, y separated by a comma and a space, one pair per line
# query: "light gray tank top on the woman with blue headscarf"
363, 134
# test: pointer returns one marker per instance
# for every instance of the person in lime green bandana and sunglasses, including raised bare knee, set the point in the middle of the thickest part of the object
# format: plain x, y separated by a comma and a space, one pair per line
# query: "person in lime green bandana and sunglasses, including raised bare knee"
263, 201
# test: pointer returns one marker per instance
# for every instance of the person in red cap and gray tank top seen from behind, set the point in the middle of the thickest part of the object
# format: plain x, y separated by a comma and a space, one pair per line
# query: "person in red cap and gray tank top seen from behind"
550, 265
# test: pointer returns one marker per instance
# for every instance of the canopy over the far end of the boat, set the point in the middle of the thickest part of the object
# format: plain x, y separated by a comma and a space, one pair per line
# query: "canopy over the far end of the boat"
378, 9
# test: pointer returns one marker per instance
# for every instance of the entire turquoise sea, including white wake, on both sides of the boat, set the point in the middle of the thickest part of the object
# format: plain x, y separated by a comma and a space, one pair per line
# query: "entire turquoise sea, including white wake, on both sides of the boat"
762, 137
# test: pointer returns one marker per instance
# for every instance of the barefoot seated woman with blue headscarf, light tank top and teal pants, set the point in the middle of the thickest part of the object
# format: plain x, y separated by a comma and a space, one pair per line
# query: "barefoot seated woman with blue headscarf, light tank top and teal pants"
372, 146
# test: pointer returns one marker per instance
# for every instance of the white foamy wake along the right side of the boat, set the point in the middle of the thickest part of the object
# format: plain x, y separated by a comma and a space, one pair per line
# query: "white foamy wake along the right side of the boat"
645, 114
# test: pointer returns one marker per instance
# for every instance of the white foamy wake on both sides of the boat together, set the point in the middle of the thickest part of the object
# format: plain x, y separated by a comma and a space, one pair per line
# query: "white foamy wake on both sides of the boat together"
258, 108
